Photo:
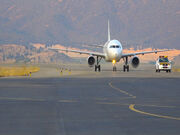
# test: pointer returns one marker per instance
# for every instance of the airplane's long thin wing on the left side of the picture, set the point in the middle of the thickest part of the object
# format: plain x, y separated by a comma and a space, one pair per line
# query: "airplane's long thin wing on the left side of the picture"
80, 52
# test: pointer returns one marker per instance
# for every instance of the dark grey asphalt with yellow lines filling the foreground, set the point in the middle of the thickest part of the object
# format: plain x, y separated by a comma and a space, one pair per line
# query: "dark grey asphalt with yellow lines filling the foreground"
89, 106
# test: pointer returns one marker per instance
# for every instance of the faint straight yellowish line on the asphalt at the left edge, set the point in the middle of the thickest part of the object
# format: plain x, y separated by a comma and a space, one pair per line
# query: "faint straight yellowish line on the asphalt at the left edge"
22, 99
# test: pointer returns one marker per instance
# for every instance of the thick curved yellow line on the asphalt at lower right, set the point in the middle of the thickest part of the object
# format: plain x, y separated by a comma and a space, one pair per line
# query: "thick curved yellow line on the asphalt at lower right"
131, 107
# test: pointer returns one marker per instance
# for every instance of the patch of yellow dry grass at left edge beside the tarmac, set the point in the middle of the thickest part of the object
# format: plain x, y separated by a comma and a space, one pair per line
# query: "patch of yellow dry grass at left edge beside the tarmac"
17, 71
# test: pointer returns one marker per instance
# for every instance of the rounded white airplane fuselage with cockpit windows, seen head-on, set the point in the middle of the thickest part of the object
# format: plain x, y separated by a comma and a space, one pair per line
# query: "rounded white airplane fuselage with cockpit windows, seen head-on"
112, 50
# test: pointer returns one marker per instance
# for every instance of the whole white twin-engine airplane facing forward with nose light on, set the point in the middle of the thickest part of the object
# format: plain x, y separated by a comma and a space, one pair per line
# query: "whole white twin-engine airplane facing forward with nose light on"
112, 52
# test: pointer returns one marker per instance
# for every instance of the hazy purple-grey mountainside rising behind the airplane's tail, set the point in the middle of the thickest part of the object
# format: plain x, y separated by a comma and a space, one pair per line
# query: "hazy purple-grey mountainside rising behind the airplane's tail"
145, 23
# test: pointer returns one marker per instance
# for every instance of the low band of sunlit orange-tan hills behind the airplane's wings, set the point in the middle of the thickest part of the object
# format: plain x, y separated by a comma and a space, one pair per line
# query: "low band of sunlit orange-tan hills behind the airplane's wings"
39, 53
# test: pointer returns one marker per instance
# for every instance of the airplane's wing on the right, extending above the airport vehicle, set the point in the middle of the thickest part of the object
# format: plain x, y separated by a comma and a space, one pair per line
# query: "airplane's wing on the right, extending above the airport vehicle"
142, 53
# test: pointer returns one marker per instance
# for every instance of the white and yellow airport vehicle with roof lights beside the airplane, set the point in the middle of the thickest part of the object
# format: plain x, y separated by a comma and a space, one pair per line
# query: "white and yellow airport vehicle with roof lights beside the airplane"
163, 64
